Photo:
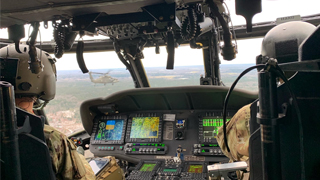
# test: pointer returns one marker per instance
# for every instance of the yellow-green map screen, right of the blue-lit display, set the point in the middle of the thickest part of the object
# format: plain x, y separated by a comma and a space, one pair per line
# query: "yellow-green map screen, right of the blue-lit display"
145, 127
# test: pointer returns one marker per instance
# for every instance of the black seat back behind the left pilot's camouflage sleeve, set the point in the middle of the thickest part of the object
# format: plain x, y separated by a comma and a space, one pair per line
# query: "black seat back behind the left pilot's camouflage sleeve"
35, 158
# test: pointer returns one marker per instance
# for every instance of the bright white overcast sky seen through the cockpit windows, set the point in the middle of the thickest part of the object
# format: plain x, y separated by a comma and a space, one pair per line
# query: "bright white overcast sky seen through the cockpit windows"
185, 56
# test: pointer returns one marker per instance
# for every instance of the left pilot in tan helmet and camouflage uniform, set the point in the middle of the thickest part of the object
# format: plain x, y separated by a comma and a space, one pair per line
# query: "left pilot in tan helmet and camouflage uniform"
67, 163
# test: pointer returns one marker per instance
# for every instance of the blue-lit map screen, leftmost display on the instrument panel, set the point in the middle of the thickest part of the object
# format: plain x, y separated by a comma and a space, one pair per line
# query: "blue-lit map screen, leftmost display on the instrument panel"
110, 130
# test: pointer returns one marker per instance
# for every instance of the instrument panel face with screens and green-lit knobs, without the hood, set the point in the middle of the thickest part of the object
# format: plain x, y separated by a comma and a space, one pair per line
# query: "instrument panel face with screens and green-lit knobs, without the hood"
191, 135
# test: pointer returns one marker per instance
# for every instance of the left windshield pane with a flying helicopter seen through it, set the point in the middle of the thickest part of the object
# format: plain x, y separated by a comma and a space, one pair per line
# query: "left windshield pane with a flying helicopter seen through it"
73, 87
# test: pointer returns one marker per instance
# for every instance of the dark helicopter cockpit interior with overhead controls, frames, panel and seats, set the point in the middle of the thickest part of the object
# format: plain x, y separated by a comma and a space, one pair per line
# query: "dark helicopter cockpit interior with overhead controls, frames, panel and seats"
167, 132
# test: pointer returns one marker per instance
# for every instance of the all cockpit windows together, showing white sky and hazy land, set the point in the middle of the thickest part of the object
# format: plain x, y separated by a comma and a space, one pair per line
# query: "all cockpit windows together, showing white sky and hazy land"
74, 87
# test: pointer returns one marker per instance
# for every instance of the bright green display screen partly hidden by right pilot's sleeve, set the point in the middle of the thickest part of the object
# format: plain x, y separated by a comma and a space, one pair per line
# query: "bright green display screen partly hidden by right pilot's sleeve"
211, 126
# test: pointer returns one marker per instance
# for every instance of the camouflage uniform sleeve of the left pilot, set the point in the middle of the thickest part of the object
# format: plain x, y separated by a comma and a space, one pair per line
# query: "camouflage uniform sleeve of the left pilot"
66, 161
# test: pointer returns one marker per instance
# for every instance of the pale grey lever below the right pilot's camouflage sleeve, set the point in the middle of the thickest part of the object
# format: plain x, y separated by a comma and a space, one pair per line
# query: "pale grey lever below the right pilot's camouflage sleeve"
223, 170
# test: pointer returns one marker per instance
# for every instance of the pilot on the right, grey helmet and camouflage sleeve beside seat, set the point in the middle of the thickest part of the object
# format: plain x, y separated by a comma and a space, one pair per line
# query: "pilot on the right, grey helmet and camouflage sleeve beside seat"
282, 43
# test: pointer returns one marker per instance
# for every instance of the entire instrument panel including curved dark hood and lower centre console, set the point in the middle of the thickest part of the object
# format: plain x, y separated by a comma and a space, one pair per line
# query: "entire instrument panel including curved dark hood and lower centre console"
169, 132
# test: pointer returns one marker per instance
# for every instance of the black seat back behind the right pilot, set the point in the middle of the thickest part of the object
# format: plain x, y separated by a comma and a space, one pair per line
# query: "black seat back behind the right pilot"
294, 163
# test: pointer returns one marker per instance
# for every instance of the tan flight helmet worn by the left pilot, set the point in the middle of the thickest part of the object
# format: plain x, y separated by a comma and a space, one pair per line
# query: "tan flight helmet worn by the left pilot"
15, 70
